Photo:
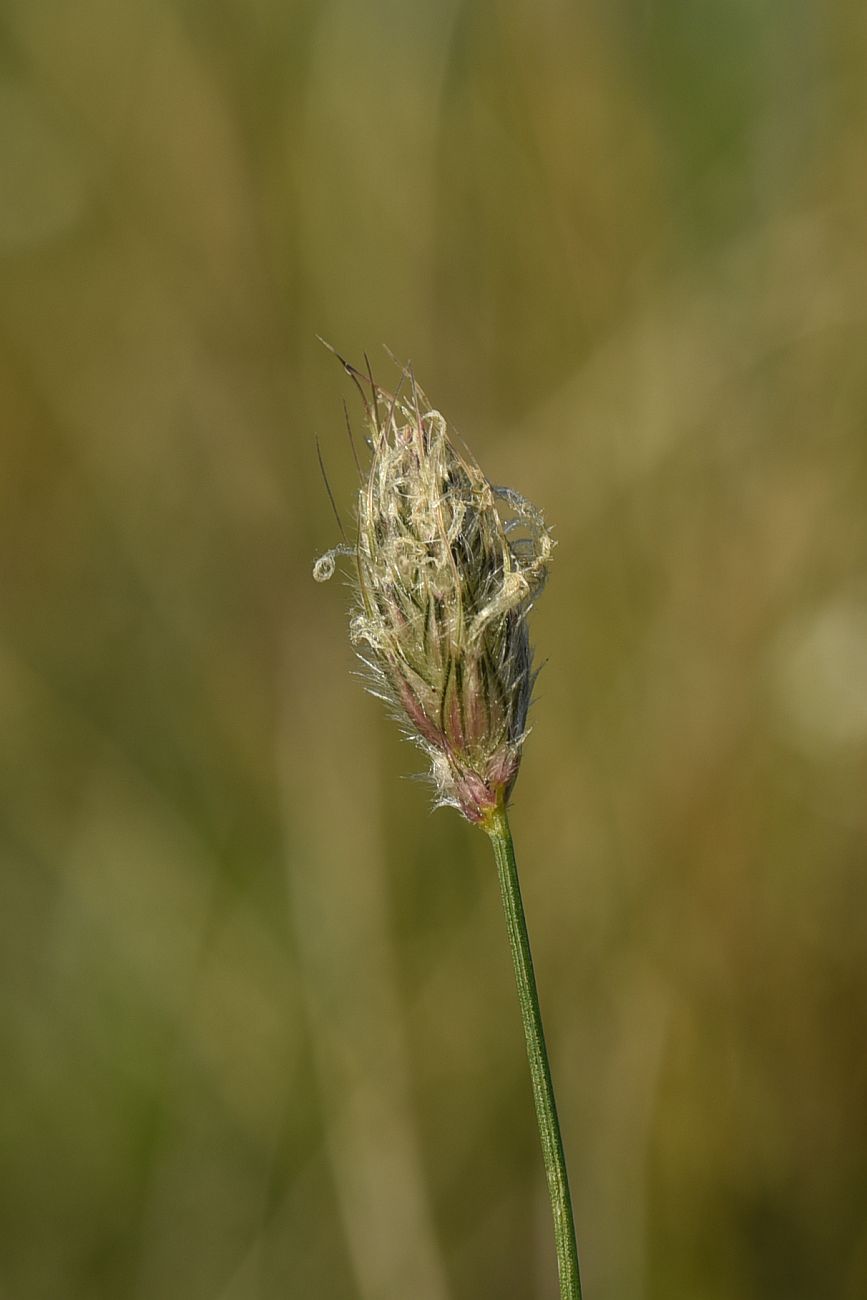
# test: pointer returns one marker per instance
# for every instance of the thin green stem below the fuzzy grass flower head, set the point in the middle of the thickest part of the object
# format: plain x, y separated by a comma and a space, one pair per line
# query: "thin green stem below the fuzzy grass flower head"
567, 1253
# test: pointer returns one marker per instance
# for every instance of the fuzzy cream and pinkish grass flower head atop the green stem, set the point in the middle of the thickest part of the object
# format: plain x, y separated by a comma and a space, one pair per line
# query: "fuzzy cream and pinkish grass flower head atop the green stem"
448, 570
